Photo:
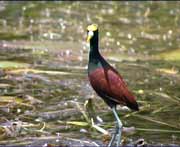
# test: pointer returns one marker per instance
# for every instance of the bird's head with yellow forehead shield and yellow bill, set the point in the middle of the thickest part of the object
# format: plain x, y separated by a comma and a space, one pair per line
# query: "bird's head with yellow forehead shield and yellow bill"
92, 31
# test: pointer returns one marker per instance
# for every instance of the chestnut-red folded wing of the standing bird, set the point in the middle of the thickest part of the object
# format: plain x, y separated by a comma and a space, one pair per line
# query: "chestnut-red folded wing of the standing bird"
107, 82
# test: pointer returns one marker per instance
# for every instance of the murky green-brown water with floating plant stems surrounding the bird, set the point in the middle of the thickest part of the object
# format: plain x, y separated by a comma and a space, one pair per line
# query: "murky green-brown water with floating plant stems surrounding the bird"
43, 70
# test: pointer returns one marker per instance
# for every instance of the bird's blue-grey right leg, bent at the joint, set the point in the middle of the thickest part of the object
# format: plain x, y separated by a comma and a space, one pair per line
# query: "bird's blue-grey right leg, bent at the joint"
119, 126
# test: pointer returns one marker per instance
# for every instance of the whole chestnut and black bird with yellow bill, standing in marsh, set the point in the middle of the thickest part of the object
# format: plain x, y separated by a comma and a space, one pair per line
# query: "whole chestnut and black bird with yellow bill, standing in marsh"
107, 82
